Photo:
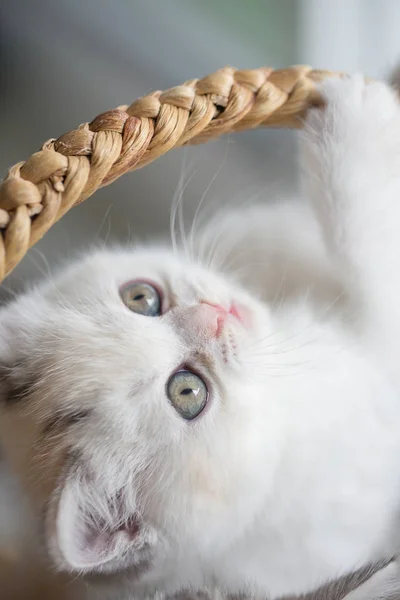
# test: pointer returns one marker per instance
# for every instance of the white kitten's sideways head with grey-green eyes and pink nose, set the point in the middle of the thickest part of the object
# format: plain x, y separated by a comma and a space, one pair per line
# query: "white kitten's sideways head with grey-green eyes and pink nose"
132, 405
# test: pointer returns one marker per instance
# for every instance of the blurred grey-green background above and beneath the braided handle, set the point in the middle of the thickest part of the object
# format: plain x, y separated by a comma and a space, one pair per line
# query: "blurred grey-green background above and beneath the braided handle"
64, 61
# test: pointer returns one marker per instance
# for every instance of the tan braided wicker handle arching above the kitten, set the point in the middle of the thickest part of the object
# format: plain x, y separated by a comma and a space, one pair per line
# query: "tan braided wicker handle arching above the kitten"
37, 193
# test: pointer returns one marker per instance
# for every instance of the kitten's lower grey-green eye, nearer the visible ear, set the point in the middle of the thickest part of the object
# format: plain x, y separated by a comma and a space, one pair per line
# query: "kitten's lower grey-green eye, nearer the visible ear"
187, 393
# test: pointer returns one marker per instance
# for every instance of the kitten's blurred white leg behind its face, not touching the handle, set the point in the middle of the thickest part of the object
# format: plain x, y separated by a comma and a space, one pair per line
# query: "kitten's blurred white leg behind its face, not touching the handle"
273, 249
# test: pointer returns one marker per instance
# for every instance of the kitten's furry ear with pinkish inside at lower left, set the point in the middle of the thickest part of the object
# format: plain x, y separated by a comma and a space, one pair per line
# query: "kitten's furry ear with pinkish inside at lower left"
89, 532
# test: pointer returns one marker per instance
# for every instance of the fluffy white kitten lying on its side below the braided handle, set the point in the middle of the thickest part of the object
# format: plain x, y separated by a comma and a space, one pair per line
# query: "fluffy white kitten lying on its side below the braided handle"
175, 429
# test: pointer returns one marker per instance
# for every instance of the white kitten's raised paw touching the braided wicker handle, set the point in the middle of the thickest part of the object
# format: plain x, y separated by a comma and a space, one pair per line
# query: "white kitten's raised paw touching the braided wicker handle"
352, 105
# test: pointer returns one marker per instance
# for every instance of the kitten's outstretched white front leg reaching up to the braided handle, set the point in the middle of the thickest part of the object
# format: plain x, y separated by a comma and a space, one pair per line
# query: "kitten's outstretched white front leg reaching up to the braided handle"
351, 151
